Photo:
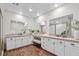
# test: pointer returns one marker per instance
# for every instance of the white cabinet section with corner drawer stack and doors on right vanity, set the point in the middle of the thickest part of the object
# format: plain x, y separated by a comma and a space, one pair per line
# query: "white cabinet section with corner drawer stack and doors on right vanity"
52, 45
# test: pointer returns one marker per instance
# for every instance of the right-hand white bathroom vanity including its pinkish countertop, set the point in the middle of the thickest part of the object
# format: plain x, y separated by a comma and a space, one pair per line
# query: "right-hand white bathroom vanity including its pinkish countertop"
59, 45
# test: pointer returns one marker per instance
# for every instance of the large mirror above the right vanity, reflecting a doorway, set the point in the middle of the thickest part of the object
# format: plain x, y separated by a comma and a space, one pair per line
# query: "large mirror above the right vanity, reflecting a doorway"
61, 26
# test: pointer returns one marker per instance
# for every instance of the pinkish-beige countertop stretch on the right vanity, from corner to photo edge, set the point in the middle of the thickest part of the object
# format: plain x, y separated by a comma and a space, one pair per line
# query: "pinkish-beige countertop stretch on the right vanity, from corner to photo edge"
57, 38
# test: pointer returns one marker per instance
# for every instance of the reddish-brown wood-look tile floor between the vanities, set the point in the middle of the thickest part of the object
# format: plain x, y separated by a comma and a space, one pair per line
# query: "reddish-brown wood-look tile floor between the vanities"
28, 51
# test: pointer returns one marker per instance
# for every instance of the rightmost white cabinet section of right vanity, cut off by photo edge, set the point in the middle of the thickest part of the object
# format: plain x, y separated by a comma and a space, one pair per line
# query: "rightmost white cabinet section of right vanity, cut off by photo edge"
71, 49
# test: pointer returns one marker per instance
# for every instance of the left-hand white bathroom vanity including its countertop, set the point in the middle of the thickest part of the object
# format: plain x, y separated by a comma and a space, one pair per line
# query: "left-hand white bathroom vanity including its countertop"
16, 41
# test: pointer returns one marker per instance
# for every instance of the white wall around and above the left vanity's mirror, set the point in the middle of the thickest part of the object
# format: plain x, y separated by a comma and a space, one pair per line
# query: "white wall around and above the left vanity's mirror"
8, 16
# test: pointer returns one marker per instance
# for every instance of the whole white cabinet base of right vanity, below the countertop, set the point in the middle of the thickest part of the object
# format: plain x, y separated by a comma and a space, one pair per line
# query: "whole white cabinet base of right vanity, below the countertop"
60, 47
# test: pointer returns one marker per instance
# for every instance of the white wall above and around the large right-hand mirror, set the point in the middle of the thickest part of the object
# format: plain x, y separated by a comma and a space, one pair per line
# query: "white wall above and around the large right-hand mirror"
62, 11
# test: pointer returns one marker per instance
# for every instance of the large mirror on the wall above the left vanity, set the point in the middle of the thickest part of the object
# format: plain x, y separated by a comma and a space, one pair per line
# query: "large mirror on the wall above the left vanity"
17, 27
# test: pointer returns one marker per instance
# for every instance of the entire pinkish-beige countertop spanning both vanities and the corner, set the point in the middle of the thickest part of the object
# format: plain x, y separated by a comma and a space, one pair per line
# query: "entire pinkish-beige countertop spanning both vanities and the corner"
44, 35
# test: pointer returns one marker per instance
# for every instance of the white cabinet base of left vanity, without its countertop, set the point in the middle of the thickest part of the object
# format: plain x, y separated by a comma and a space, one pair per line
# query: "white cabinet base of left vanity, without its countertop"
17, 42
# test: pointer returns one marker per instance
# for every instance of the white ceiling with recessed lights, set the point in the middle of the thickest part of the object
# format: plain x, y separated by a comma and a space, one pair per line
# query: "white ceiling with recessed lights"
23, 8
